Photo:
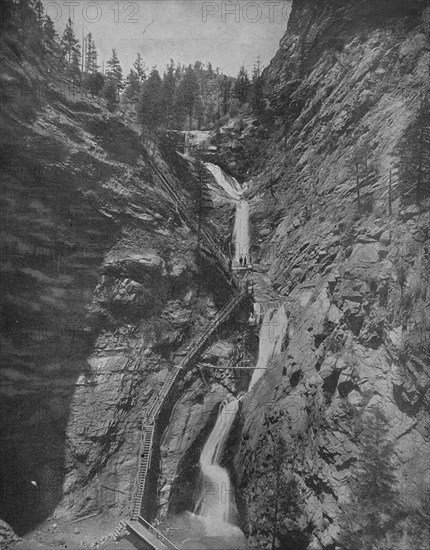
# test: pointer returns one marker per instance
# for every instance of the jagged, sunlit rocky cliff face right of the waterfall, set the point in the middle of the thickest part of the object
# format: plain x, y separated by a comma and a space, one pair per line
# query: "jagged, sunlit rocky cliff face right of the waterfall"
344, 238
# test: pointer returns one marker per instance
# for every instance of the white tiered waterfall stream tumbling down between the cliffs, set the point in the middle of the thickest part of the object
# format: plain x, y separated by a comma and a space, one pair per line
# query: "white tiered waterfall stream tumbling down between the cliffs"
215, 509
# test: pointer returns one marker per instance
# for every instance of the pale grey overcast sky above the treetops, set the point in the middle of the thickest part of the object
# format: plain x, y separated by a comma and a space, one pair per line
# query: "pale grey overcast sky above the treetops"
226, 33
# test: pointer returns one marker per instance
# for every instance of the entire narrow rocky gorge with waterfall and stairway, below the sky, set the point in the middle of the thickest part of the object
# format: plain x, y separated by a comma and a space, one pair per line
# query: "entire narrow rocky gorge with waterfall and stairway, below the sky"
219, 338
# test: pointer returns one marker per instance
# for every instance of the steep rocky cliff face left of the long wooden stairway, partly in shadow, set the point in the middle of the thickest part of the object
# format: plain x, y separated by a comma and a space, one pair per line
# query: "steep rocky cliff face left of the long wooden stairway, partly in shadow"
101, 291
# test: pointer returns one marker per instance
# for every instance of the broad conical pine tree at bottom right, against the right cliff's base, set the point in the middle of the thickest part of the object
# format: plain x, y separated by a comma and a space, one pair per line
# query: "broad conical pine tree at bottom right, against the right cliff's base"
374, 509
